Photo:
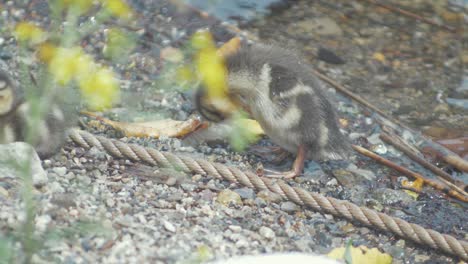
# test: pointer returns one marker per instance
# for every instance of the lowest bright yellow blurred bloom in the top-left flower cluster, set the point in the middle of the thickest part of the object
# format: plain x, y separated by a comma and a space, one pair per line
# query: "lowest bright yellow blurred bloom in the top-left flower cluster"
100, 89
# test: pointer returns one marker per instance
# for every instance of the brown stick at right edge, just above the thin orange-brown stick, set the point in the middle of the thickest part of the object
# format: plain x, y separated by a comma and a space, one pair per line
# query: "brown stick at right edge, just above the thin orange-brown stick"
400, 145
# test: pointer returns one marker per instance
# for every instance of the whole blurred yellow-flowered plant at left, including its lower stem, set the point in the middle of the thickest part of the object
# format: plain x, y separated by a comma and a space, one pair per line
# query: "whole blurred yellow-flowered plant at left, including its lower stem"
53, 68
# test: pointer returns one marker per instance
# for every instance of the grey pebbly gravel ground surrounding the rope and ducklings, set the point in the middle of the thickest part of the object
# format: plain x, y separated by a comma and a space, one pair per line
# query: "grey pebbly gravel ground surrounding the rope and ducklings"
97, 209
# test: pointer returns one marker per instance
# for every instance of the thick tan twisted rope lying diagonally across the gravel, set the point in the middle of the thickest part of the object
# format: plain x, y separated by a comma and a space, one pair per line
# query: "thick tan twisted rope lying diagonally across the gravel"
312, 200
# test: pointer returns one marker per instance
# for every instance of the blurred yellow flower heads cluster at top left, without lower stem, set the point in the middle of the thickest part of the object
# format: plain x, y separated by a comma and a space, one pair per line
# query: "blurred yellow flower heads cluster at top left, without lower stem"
67, 63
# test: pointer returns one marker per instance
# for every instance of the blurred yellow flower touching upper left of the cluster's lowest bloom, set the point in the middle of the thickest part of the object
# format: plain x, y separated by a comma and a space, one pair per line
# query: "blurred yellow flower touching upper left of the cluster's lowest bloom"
68, 63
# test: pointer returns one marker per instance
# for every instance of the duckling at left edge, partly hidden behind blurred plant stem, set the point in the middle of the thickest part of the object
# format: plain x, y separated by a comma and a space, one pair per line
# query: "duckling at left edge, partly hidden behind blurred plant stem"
14, 119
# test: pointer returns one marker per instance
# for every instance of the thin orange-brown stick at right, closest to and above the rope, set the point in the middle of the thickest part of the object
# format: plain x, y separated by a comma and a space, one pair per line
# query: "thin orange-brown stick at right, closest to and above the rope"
410, 173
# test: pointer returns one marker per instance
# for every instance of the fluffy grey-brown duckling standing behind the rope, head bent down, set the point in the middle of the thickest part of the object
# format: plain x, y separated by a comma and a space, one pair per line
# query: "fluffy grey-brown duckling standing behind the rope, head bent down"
283, 95
